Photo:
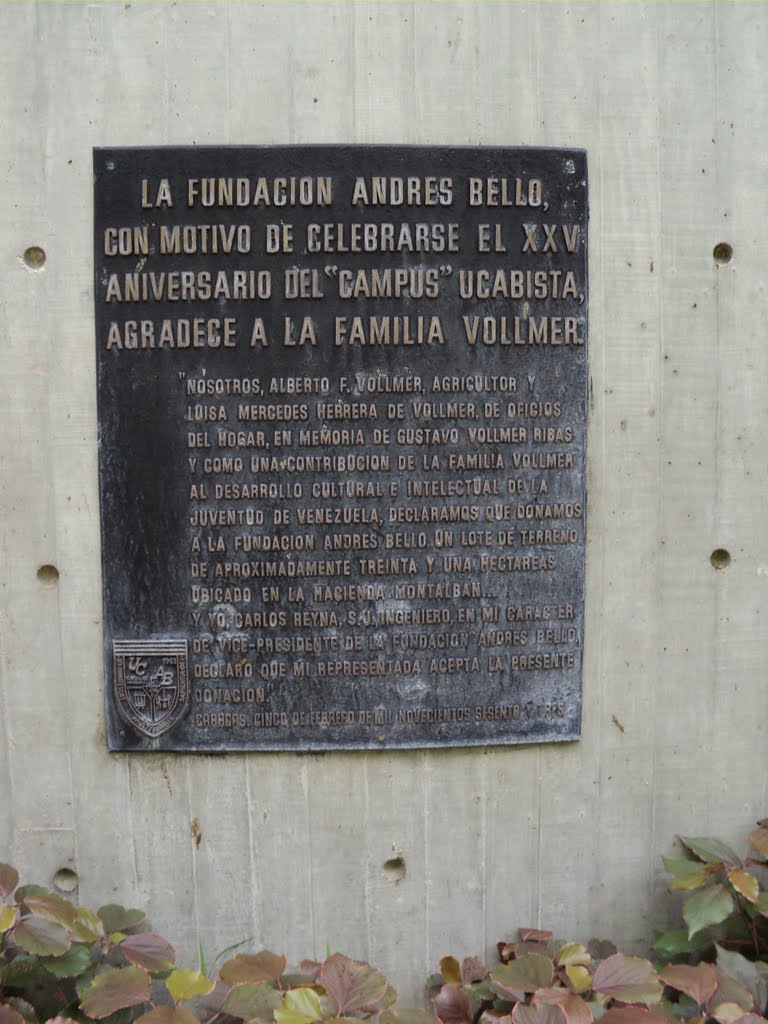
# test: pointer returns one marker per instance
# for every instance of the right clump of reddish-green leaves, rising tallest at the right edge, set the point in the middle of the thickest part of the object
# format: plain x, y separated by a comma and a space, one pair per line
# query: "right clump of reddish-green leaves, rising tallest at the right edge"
715, 970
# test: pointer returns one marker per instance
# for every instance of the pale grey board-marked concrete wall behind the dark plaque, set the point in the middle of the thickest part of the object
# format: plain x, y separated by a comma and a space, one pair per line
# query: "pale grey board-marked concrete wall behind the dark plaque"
671, 102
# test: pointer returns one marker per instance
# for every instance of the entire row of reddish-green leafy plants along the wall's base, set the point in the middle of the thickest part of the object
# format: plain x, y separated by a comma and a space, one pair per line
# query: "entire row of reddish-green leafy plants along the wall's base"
60, 963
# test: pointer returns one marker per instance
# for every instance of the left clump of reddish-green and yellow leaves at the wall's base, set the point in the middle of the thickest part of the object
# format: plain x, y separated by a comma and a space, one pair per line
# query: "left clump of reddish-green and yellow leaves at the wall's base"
66, 965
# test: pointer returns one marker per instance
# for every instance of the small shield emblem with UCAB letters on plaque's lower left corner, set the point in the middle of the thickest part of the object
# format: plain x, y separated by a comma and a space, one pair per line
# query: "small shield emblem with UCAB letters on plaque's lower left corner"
152, 684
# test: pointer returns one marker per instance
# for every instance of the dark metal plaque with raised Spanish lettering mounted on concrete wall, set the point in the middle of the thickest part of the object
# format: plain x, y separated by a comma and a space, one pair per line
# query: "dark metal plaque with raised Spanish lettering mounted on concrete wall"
343, 434
